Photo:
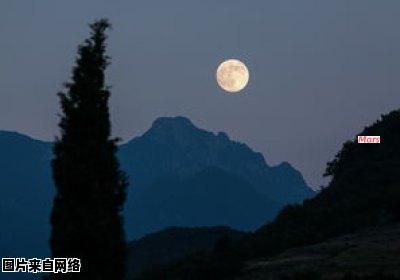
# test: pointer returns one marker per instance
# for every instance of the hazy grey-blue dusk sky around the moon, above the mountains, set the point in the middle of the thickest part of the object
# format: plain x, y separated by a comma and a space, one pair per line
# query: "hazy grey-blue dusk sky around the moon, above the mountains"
320, 69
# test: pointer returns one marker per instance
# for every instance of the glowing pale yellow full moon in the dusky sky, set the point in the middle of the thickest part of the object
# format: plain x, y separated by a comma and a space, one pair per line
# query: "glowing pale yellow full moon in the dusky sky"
232, 75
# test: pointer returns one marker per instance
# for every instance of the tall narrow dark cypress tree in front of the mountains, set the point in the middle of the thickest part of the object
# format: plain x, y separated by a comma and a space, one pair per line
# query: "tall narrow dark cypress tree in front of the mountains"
90, 187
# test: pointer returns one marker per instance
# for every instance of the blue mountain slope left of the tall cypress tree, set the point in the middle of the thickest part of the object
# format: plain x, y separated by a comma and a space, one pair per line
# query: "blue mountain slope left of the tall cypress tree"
26, 194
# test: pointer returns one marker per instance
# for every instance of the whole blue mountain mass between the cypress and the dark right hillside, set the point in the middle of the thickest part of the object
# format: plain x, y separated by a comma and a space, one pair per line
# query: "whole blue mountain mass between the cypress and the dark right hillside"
184, 176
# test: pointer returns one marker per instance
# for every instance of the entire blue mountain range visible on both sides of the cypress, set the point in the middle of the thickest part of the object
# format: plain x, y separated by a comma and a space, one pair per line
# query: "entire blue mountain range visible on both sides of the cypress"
179, 175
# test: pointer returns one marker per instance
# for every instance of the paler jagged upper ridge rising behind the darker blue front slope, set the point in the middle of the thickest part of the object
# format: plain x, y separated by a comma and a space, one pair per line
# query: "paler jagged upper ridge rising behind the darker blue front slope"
173, 145
